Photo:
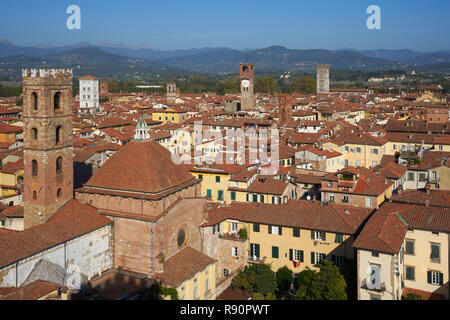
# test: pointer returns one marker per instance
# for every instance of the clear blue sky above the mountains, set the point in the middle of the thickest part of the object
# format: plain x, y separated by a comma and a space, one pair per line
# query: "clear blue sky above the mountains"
181, 24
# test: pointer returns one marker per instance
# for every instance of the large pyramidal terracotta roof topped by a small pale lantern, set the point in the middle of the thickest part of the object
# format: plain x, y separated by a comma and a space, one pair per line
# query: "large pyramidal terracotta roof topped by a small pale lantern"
140, 166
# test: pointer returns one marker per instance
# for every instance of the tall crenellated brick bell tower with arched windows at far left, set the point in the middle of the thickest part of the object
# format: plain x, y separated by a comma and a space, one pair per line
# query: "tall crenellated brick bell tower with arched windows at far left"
48, 144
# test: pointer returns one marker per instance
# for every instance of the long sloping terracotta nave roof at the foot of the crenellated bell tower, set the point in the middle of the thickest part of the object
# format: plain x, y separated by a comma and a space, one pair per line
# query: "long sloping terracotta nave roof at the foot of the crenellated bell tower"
73, 220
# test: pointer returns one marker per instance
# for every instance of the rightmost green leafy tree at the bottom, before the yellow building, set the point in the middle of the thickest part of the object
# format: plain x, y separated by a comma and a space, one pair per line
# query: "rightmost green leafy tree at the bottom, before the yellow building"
327, 284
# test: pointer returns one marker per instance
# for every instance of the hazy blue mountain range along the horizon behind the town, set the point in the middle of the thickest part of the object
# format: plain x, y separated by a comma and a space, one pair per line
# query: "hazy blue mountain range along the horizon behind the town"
106, 60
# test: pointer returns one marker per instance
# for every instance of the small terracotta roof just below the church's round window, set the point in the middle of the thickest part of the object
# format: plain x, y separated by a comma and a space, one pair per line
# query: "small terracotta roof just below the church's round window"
184, 265
